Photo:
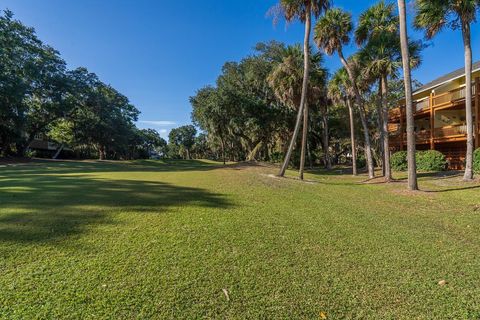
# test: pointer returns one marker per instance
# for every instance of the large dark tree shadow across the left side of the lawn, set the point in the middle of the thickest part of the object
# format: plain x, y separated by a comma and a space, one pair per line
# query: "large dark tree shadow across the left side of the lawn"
45, 208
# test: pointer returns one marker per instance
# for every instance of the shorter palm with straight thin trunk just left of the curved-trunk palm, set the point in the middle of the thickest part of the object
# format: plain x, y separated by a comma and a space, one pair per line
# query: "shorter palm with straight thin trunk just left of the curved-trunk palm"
339, 90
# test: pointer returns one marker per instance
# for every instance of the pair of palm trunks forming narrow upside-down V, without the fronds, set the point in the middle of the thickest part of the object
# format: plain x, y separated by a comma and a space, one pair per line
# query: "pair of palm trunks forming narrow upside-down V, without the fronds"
303, 108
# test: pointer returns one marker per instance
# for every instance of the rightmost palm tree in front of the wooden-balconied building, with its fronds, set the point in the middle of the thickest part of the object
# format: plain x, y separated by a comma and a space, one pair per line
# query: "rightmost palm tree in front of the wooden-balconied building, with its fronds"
433, 16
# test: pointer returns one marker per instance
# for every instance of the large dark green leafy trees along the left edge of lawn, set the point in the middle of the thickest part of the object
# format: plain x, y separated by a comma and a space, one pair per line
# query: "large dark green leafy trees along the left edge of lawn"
39, 96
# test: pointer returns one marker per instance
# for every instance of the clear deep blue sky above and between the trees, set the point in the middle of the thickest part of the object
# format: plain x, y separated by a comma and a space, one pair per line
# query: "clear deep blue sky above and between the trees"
158, 53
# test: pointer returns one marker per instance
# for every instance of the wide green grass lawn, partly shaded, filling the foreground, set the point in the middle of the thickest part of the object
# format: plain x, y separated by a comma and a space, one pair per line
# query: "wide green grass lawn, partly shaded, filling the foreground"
166, 240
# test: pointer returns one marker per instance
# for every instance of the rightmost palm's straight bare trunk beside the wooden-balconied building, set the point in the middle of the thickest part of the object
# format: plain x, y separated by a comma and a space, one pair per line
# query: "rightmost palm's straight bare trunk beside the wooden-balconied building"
468, 176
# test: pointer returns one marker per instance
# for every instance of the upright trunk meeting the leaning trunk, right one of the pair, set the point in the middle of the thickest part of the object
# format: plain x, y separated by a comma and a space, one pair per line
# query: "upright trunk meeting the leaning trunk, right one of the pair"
306, 72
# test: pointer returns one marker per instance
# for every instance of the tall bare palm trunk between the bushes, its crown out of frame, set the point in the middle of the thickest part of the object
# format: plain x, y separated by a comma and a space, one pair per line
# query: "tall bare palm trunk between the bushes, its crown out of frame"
412, 166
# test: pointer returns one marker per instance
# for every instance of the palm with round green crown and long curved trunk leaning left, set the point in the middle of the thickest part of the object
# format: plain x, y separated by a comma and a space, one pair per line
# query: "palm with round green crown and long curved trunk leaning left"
332, 32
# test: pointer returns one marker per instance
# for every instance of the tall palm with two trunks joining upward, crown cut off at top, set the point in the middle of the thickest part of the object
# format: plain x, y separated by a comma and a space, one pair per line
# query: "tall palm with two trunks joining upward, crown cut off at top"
301, 10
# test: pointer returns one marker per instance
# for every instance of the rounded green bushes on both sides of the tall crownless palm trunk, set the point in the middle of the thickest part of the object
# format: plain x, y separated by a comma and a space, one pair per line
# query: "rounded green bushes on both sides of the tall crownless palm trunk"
430, 160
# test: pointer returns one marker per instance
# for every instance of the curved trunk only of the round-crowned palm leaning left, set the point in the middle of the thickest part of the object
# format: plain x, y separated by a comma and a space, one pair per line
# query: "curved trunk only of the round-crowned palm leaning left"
363, 118
